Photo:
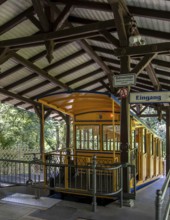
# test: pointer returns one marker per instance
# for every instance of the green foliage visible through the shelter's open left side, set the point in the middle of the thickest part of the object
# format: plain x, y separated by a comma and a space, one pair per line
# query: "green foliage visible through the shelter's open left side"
20, 128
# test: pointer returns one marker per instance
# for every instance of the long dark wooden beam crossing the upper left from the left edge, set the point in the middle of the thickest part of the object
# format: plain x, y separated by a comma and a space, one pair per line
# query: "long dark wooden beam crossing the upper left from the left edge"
60, 35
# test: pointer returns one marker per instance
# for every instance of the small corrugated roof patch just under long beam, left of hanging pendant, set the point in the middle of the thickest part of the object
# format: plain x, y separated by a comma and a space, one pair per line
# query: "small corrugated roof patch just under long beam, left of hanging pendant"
31, 51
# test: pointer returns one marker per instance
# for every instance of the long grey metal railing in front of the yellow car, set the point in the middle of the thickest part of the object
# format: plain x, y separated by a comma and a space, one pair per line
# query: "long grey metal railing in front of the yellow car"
87, 177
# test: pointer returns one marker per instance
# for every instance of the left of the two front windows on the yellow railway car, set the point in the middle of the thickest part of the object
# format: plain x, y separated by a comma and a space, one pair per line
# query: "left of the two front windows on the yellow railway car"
92, 144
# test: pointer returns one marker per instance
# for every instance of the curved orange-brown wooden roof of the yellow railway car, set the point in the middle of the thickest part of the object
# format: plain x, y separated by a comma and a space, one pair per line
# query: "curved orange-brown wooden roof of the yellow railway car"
78, 102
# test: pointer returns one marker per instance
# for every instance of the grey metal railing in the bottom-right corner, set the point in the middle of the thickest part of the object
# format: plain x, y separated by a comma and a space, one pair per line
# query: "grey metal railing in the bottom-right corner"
162, 202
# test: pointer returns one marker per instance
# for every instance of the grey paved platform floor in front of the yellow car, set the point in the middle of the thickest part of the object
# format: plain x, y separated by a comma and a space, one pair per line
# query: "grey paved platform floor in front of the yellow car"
67, 210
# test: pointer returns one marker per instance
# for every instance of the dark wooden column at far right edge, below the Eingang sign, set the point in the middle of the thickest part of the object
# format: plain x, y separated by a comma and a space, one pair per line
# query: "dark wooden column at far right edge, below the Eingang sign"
167, 139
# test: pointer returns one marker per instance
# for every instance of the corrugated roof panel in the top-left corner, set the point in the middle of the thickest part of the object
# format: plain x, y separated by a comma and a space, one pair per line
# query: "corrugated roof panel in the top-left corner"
12, 8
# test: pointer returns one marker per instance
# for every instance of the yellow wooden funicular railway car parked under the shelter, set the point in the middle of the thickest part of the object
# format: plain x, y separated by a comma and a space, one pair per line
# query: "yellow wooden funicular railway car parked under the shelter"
96, 131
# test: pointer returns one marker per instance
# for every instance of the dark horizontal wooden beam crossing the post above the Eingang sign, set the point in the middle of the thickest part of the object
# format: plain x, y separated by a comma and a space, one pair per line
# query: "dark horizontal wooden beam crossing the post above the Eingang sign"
143, 49
